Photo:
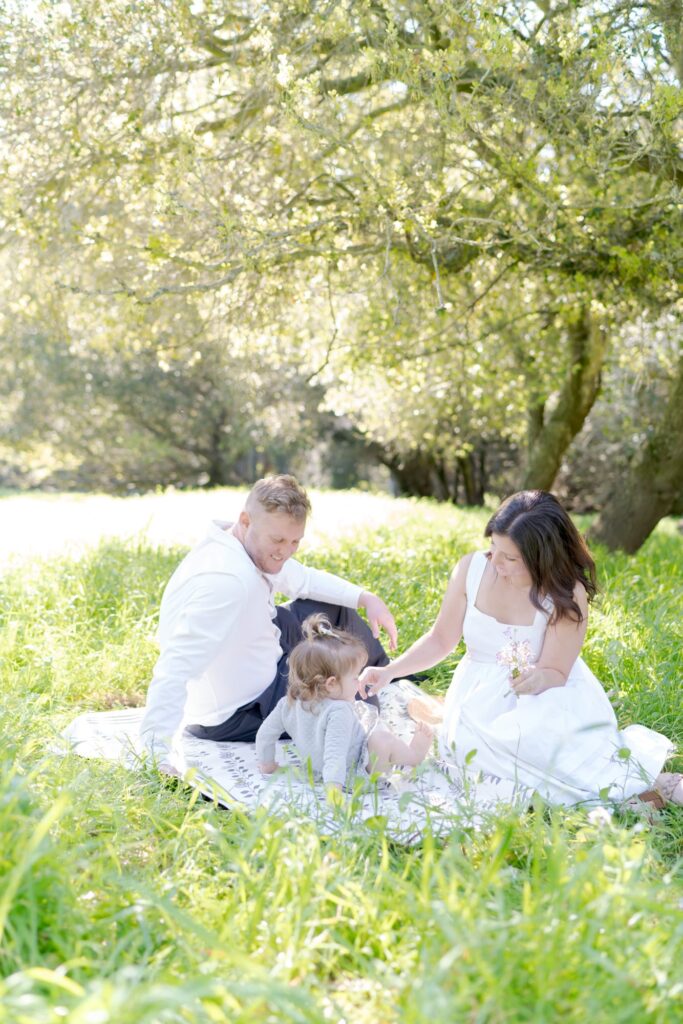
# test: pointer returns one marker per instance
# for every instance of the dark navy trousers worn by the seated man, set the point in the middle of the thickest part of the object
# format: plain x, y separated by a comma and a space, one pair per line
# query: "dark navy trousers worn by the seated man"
244, 724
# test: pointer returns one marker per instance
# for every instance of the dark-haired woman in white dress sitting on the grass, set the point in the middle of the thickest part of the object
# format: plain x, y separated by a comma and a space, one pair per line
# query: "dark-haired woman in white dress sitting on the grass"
523, 705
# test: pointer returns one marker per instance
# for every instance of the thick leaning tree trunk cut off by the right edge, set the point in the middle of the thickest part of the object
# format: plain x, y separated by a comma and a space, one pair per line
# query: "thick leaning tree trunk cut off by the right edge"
652, 487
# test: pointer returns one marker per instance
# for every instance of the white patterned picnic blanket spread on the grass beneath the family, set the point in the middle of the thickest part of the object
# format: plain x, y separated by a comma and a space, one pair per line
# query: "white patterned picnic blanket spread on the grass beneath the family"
436, 795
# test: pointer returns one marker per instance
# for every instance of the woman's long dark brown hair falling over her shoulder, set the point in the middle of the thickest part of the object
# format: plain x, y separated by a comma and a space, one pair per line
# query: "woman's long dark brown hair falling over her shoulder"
553, 550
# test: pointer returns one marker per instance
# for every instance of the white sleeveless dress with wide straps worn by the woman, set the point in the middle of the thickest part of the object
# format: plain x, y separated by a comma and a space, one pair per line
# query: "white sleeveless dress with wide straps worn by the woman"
565, 743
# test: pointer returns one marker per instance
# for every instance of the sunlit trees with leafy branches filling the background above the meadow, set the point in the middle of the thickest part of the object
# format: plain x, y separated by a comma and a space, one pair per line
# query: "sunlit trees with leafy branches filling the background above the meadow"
442, 239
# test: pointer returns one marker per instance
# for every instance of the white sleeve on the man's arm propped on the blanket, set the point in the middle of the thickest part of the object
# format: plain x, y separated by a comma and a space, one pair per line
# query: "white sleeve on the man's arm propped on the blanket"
208, 614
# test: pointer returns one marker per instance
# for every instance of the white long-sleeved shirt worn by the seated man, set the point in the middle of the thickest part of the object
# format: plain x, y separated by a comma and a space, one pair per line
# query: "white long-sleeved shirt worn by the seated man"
220, 646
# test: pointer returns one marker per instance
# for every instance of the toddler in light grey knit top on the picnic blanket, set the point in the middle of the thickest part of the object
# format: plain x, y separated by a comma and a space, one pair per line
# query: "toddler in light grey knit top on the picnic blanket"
321, 713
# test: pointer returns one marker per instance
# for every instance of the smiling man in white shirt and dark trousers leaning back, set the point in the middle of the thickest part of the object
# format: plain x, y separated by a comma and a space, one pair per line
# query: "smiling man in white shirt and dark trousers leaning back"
224, 644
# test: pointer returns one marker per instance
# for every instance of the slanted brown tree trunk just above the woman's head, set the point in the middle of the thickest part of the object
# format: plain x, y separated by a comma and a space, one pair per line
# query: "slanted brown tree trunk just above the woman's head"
550, 438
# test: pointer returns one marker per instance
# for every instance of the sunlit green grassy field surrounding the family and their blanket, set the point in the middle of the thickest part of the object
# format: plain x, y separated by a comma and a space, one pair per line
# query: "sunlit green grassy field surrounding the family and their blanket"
125, 900
